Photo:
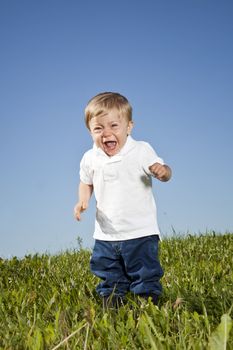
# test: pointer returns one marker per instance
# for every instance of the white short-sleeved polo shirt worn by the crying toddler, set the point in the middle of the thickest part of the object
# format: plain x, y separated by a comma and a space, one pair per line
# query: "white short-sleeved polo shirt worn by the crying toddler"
122, 184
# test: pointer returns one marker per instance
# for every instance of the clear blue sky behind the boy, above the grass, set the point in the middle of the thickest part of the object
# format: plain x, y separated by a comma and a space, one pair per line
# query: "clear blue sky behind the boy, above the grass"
173, 60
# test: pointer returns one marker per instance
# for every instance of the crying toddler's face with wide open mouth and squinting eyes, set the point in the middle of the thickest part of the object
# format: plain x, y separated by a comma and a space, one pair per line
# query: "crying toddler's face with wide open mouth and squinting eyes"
110, 131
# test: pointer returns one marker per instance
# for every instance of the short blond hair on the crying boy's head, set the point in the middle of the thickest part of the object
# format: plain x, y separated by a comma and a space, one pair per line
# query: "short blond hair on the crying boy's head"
102, 103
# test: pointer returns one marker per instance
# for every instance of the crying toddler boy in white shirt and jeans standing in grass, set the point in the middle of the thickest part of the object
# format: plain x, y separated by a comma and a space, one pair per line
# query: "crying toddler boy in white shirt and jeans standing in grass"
119, 170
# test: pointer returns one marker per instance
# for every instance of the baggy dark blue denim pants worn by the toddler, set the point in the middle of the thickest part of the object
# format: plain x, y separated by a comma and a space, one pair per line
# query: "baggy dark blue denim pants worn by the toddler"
127, 266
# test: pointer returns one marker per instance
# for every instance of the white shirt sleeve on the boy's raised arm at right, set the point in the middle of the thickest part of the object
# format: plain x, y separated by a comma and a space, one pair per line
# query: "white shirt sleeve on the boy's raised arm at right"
148, 157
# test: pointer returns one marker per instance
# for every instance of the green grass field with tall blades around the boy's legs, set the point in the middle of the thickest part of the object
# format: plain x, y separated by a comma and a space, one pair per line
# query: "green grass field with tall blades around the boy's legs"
49, 302
